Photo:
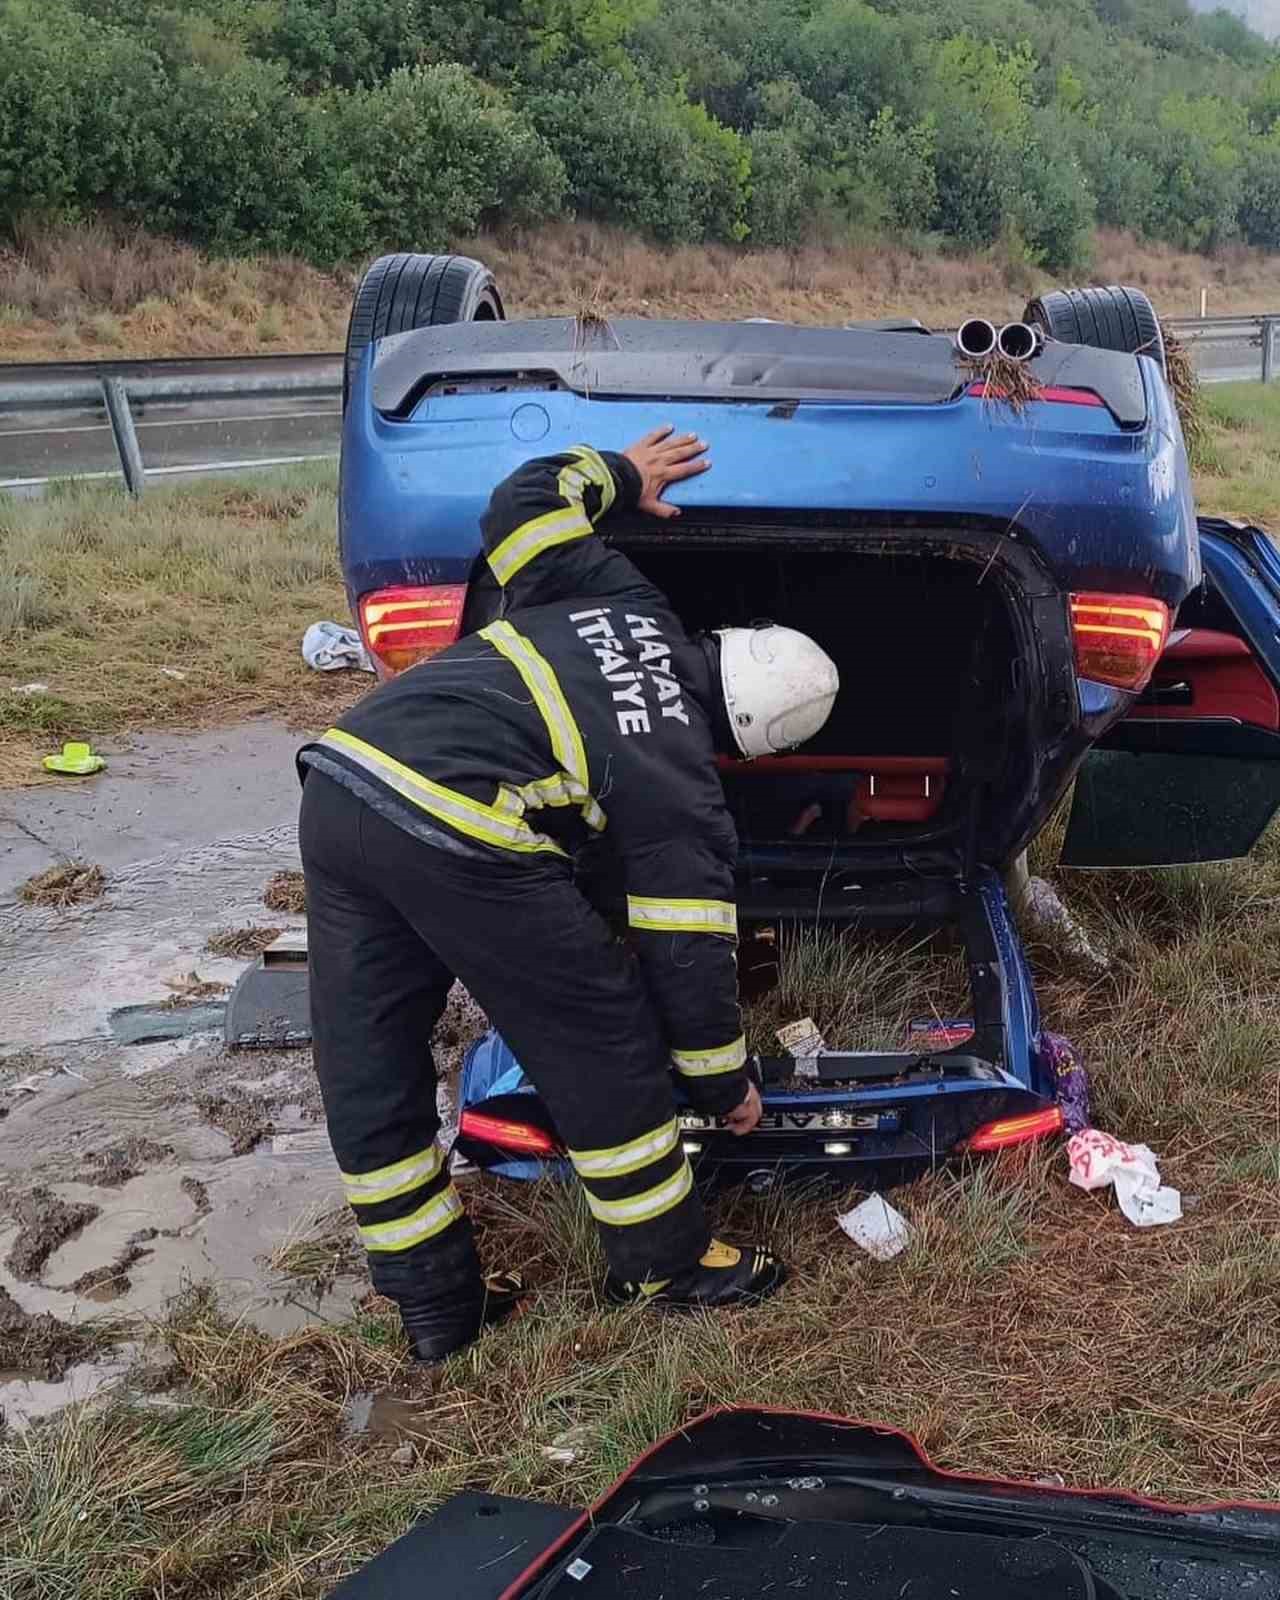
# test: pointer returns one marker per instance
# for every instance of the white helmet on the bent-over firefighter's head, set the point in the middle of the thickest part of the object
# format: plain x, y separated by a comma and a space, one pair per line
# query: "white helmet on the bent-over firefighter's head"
780, 687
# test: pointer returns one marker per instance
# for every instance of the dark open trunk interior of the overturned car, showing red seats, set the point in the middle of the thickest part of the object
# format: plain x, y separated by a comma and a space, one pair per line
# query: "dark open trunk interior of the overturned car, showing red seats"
929, 708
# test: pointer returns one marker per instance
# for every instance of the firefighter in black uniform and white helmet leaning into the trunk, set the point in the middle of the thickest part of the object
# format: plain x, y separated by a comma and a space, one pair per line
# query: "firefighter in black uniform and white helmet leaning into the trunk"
439, 826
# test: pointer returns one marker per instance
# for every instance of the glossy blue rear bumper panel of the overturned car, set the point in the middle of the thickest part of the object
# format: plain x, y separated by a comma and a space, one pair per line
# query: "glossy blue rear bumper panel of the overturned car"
1102, 508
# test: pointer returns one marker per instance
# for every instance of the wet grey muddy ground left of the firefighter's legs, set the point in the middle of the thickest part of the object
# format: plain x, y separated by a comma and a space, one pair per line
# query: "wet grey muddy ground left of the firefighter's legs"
129, 1172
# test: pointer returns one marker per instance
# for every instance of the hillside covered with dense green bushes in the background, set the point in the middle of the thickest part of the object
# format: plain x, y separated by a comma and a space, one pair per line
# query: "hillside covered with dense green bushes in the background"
334, 129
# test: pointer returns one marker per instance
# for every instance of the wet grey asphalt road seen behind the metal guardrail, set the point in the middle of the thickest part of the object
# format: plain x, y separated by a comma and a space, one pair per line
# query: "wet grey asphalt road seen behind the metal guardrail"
185, 438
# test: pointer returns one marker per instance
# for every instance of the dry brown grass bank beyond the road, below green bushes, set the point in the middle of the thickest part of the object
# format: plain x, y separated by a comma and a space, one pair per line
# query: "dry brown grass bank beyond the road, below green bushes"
102, 292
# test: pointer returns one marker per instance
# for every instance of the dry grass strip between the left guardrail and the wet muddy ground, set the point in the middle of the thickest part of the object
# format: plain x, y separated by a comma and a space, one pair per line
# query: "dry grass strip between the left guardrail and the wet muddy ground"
185, 609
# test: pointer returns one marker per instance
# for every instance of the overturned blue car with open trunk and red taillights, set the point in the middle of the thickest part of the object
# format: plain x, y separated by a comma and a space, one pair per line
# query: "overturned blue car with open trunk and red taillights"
994, 538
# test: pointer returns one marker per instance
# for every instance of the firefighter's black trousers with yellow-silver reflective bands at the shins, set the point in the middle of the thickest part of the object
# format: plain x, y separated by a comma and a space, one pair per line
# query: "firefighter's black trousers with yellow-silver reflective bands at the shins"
391, 922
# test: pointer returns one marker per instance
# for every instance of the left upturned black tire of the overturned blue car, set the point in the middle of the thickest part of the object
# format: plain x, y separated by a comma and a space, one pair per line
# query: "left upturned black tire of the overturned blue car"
409, 292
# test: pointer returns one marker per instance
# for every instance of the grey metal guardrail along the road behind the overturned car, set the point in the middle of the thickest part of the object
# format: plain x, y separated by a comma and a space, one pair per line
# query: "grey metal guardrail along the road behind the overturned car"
114, 388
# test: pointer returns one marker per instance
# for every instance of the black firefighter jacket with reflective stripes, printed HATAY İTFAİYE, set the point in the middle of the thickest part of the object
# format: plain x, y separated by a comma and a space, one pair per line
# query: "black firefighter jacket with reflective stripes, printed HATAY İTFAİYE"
583, 714
